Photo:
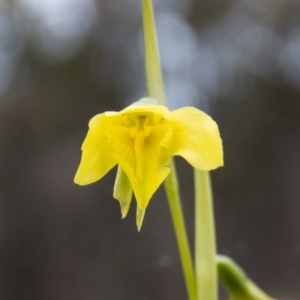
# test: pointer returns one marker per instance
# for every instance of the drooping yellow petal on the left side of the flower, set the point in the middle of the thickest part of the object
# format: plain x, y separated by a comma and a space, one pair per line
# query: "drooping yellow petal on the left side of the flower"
96, 159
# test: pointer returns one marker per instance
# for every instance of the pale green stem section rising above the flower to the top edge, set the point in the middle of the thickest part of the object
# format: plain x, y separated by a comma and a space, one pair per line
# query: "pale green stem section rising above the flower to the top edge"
154, 78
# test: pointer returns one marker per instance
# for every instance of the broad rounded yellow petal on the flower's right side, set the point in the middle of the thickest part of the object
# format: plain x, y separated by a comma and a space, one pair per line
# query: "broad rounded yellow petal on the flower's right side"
196, 138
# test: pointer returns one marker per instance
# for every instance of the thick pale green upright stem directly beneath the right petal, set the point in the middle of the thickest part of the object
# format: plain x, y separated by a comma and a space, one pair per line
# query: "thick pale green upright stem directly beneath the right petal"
205, 244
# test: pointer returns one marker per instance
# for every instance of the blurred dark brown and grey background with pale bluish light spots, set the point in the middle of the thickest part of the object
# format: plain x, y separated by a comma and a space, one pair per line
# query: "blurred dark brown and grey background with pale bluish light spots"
63, 61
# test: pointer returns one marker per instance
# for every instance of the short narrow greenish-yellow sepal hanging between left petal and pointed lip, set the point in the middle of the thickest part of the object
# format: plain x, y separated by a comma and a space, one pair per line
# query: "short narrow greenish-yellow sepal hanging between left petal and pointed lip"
123, 191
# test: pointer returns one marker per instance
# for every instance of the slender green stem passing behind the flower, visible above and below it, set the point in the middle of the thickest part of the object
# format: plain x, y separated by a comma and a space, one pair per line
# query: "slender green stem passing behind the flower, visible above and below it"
156, 90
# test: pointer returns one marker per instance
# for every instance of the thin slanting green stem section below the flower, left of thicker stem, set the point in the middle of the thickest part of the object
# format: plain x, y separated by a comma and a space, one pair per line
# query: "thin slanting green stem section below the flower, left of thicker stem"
172, 190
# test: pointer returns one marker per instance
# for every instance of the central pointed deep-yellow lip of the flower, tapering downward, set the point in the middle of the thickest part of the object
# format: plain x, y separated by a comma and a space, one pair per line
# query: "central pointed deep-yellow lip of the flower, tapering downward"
145, 168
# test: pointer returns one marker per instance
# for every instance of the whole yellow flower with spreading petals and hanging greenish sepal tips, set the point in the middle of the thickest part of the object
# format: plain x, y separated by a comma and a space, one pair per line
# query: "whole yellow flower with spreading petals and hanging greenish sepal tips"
141, 139
